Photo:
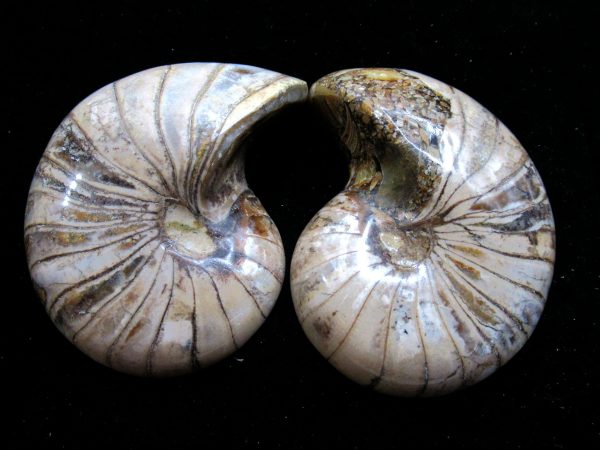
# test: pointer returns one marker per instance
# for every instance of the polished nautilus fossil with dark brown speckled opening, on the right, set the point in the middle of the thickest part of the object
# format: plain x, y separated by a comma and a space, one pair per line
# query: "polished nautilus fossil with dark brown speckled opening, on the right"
431, 268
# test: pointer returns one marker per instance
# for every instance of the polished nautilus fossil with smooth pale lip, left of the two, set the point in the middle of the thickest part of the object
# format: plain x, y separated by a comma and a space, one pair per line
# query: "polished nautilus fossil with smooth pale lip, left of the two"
147, 247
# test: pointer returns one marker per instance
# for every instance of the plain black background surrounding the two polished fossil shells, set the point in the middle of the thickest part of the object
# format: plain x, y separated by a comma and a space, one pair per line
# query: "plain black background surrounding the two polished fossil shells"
529, 63
